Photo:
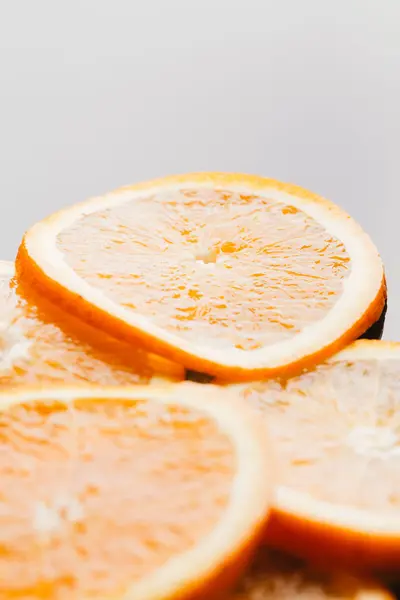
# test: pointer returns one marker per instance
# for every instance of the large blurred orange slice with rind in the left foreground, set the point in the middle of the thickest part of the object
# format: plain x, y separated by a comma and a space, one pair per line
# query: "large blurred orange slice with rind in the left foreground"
140, 493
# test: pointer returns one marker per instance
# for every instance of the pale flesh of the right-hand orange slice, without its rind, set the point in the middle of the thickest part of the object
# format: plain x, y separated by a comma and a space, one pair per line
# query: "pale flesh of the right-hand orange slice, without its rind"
337, 431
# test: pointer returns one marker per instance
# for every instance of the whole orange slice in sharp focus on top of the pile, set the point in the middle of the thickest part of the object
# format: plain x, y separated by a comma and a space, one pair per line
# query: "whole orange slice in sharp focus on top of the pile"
231, 275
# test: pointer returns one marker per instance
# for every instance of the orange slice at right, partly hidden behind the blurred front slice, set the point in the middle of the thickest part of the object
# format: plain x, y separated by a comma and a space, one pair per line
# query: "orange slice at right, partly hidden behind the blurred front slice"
336, 431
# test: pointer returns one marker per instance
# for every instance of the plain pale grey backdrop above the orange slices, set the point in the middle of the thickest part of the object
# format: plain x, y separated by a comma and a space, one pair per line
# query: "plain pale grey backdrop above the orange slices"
97, 93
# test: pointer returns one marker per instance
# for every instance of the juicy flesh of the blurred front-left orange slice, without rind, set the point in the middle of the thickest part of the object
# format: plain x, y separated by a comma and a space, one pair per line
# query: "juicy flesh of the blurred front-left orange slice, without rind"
97, 495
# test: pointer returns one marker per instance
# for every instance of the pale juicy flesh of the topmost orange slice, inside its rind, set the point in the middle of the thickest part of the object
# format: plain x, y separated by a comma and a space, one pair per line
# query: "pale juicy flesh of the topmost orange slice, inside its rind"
211, 265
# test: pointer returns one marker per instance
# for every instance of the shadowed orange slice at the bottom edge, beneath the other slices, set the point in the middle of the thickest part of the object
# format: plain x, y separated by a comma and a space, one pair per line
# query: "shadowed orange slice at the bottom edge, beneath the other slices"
275, 576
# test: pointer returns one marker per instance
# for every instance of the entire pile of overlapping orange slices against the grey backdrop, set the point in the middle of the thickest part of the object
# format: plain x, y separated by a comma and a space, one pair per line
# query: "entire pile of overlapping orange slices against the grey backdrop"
272, 474
